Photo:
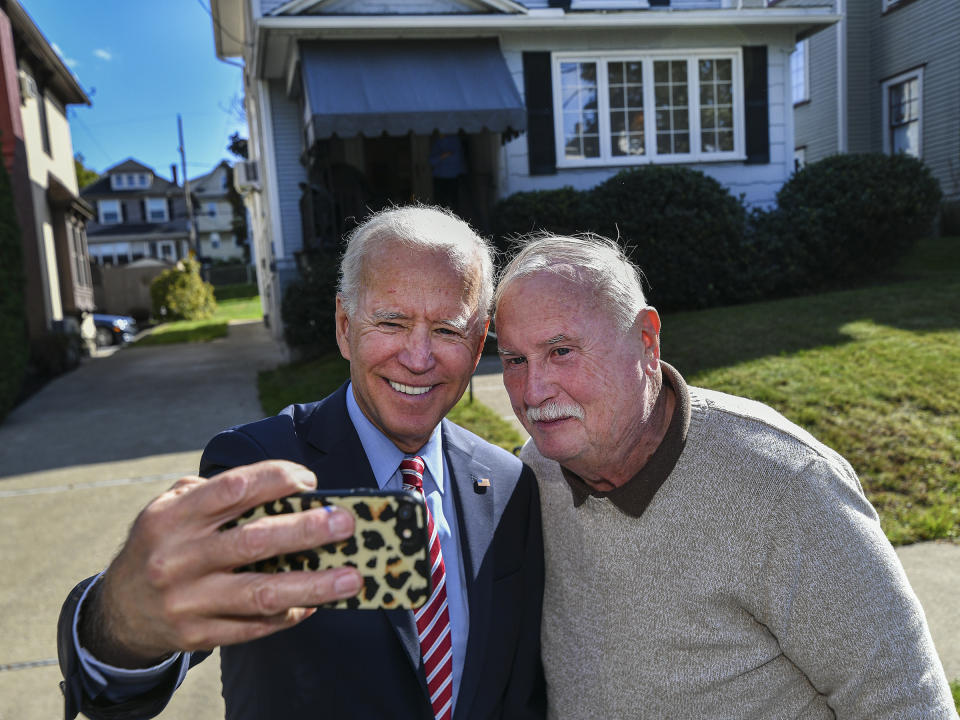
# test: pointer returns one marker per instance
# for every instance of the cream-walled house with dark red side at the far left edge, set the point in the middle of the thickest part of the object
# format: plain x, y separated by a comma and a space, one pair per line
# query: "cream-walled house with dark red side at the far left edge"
35, 90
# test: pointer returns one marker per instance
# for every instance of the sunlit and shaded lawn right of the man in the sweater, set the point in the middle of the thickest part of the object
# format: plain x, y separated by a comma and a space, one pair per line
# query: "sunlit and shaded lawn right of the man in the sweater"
871, 372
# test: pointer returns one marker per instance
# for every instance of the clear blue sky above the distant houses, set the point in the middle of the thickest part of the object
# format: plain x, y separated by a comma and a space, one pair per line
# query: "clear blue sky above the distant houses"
142, 63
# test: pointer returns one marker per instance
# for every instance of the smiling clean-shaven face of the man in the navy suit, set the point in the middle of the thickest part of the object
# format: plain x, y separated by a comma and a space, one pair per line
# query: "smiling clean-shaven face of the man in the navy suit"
413, 341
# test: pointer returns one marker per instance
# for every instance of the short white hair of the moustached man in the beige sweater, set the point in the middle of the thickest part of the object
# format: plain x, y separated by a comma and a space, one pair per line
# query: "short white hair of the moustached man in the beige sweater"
590, 260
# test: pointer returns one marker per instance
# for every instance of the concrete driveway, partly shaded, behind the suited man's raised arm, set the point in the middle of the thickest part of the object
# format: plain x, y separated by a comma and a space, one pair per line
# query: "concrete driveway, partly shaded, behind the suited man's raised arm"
78, 460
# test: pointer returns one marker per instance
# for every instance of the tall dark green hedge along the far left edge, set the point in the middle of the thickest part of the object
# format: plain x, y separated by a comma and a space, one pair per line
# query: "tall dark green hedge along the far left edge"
13, 328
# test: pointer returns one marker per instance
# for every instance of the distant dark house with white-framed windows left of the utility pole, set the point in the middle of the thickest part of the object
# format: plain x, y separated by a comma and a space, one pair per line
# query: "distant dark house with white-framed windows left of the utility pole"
138, 214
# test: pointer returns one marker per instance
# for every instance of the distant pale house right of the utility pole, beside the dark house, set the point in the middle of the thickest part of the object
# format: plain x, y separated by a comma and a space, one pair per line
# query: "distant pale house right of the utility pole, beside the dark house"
216, 225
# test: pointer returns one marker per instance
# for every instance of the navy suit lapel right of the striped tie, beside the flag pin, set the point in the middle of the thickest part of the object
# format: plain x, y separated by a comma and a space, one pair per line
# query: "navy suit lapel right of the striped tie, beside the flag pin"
475, 518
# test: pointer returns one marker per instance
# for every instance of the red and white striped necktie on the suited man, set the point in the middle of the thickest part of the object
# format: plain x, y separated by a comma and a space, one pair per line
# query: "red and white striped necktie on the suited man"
433, 619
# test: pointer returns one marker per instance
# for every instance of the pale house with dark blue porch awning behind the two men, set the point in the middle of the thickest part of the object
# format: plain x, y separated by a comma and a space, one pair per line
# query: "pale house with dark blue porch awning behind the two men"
345, 98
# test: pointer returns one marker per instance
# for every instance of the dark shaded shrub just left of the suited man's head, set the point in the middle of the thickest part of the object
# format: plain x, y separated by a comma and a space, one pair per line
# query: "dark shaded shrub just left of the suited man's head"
308, 305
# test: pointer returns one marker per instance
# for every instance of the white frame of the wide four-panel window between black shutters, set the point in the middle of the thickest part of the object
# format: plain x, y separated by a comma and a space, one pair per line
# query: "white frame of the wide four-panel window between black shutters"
648, 58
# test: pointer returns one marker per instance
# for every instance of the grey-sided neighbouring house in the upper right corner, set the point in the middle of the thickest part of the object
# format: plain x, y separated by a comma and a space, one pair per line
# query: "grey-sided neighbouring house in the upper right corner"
886, 78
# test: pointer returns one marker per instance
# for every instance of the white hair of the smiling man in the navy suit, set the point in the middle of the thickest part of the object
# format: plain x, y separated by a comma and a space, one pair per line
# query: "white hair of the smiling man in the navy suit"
421, 227
